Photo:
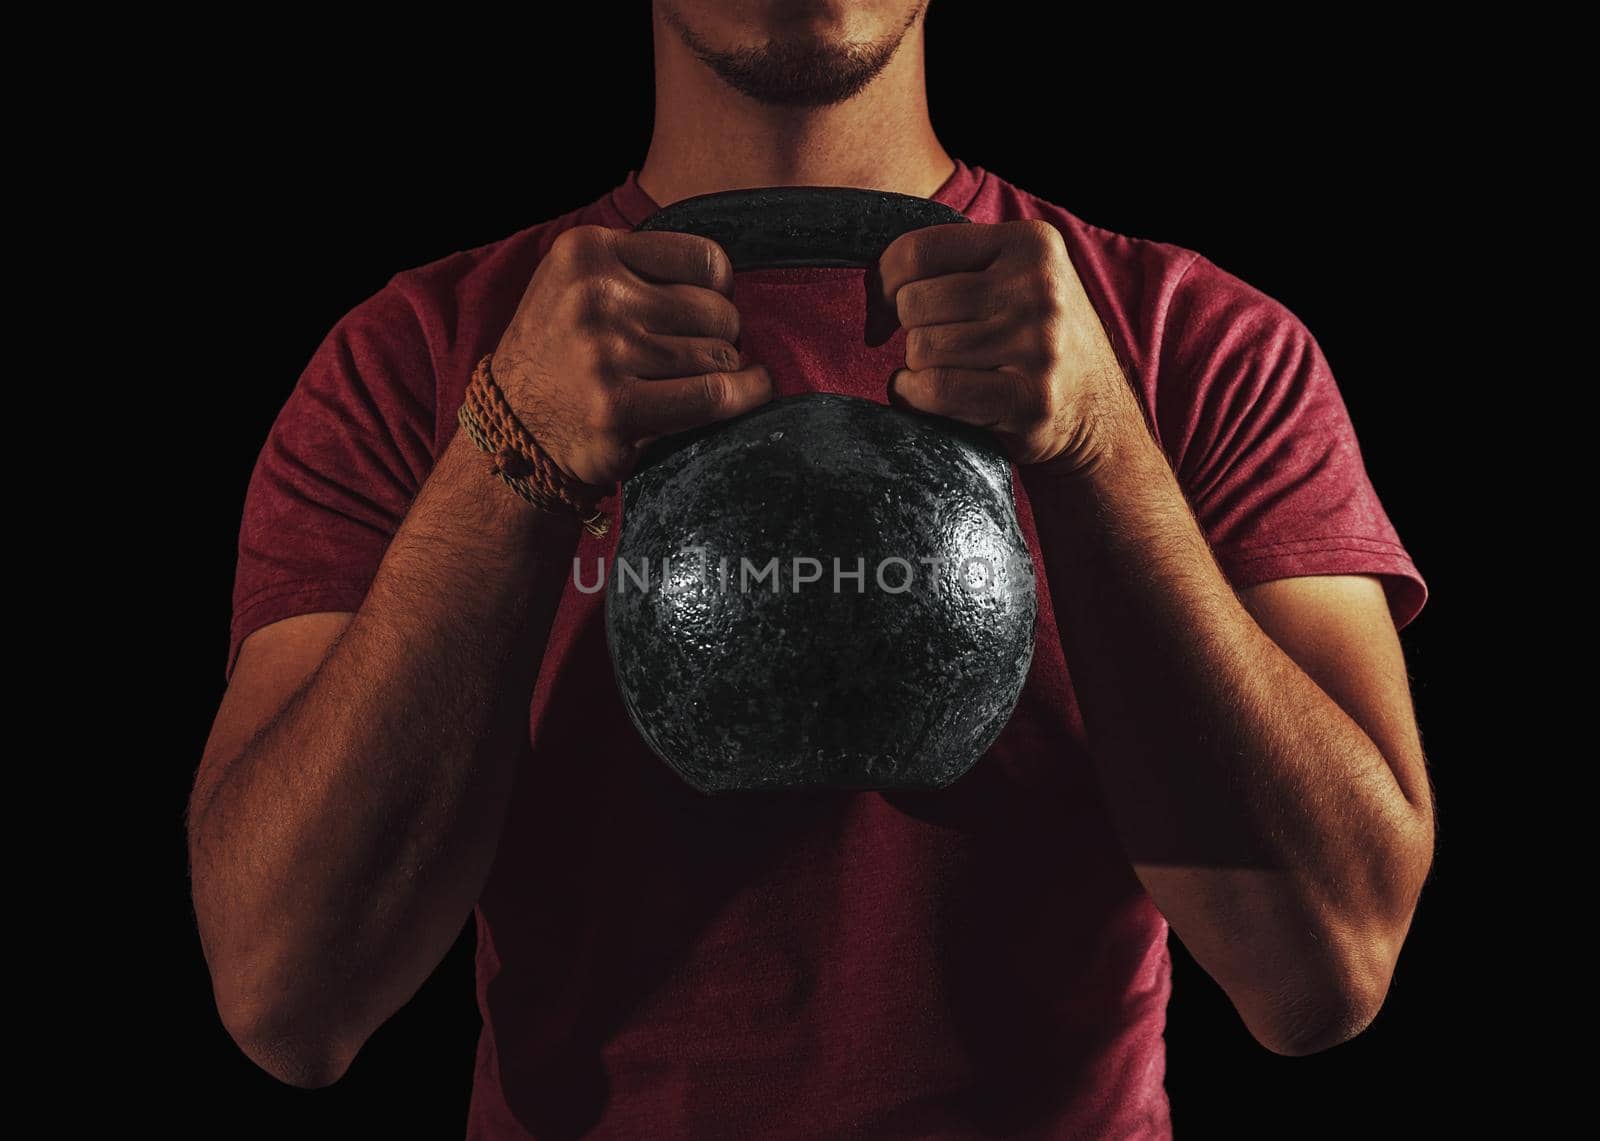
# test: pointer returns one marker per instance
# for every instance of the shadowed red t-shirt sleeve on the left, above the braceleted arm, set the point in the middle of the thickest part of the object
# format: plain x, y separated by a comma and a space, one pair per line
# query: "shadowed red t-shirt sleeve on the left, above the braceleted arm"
338, 471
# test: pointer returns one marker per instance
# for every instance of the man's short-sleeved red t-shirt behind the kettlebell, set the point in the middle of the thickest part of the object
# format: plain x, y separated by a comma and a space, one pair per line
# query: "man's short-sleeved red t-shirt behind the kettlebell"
970, 963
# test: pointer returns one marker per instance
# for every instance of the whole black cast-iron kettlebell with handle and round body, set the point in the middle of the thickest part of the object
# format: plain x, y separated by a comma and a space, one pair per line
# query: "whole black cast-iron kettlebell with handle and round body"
825, 593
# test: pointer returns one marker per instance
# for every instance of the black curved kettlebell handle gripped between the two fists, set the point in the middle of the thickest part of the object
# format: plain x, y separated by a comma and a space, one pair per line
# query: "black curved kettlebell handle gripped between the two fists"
785, 226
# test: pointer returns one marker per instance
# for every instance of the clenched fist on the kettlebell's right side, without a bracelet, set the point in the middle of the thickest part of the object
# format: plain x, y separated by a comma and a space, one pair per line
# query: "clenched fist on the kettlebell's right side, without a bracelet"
999, 334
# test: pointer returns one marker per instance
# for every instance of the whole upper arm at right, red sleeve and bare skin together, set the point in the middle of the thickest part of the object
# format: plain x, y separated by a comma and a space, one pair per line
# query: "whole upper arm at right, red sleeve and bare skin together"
1265, 449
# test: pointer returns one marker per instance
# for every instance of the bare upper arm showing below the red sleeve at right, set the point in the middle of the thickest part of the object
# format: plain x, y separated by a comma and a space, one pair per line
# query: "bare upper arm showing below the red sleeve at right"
1340, 630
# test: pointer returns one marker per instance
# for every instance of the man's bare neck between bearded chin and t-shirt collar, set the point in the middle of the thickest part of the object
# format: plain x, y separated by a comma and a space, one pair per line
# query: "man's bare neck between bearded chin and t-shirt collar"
710, 137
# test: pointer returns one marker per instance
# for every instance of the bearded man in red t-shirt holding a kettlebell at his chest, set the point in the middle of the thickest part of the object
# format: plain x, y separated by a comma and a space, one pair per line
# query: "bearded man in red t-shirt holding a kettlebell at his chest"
422, 719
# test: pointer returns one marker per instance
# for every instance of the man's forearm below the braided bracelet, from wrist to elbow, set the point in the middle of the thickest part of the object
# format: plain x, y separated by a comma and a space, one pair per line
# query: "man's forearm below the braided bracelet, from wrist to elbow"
337, 855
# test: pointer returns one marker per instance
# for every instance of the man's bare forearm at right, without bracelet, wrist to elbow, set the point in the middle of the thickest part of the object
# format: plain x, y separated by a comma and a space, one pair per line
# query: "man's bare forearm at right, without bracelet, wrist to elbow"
1262, 819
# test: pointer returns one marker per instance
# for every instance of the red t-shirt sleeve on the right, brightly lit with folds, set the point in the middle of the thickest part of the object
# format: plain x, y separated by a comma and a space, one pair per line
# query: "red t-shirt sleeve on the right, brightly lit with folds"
1263, 444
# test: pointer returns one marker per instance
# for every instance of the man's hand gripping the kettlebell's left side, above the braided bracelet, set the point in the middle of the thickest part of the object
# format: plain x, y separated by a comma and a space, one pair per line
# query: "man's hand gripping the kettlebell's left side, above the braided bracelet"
623, 338
